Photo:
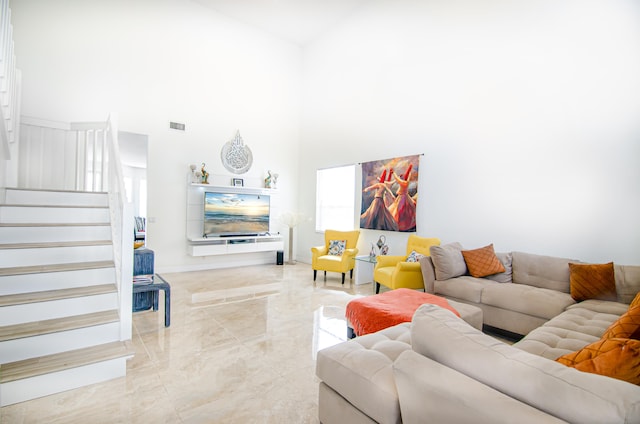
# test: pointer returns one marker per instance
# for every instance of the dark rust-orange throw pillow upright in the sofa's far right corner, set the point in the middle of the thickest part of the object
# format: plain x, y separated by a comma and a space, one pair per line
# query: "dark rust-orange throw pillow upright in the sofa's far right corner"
592, 281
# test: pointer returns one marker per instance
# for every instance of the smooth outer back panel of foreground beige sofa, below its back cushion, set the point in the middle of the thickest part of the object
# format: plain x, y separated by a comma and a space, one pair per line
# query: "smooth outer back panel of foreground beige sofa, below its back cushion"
430, 390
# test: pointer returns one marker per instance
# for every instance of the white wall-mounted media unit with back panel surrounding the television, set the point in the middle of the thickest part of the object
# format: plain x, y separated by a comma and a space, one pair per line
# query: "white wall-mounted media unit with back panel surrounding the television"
206, 246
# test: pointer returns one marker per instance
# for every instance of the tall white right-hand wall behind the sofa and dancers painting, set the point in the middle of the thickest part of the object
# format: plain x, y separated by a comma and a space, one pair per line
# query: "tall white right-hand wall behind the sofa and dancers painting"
526, 112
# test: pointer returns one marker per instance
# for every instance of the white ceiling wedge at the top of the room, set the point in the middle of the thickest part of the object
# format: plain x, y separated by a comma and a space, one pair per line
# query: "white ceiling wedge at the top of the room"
299, 21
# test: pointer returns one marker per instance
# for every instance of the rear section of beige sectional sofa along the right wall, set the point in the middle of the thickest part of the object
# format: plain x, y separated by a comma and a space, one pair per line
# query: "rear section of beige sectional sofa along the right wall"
532, 290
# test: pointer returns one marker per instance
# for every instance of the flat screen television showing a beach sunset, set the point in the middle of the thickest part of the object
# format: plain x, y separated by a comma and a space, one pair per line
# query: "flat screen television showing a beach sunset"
235, 214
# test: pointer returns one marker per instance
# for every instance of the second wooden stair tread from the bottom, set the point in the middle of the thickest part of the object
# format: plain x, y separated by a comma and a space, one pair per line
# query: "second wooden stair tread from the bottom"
36, 328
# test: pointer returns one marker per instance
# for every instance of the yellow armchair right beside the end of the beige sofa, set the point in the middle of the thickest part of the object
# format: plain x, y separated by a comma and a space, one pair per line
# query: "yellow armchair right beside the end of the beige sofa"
395, 272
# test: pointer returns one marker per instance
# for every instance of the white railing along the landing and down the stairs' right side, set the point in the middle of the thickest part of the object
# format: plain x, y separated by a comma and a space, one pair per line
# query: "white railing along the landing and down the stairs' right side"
83, 156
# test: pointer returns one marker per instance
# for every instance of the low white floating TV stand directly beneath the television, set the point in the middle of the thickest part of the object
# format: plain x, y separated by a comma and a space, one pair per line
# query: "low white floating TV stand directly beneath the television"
236, 244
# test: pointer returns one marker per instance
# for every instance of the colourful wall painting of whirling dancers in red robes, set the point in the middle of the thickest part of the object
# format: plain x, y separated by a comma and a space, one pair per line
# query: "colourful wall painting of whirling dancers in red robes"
389, 194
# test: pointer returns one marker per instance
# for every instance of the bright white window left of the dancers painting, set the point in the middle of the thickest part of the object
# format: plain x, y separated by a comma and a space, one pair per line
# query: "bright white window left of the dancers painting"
335, 194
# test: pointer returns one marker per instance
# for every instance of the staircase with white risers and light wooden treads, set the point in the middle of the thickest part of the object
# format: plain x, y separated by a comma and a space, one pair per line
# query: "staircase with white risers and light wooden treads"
60, 325
